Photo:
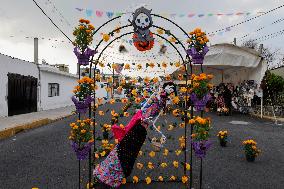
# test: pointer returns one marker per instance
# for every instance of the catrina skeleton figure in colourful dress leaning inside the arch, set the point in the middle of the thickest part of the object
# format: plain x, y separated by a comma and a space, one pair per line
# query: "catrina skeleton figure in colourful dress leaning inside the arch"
120, 161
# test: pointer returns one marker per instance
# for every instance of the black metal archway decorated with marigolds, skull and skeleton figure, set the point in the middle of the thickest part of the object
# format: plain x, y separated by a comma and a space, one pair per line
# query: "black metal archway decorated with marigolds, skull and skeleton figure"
111, 163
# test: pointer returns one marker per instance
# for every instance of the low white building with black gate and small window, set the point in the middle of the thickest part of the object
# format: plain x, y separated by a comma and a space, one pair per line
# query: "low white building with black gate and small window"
28, 87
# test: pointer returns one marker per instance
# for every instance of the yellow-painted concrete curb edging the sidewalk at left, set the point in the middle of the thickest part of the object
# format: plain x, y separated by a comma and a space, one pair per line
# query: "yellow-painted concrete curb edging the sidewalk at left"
6, 133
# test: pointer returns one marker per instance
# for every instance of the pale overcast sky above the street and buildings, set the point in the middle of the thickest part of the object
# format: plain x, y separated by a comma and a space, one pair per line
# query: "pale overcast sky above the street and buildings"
21, 19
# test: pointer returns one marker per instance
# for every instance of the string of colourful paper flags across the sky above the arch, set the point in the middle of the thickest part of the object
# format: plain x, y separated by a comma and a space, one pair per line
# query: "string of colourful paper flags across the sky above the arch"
110, 14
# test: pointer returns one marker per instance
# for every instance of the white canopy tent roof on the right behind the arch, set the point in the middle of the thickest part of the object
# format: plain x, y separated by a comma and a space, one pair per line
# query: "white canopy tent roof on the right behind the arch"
232, 64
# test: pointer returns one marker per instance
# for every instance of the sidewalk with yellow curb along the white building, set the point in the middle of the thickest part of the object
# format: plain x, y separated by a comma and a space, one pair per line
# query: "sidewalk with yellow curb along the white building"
10, 126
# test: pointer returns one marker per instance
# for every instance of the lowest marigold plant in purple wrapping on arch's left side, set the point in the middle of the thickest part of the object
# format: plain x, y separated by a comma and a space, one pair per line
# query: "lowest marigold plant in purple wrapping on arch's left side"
81, 135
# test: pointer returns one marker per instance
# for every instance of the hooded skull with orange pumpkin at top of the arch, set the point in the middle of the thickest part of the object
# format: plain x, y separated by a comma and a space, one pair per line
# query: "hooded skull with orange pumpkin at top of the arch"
143, 38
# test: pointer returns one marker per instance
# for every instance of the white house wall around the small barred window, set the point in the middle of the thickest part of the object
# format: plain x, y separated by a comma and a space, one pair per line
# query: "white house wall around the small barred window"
66, 85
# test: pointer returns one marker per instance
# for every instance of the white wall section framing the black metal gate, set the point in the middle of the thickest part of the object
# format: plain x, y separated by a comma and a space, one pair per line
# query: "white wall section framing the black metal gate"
12, 65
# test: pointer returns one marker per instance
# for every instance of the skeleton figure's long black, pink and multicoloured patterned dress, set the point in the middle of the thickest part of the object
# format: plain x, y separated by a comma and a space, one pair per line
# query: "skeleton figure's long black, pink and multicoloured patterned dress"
120, 161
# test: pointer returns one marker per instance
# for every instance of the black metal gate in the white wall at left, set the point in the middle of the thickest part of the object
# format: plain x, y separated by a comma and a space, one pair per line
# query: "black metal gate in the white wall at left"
22, 94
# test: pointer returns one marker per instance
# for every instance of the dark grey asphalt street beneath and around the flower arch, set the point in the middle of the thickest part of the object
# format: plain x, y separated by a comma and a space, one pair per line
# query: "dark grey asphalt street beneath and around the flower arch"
43, 157
